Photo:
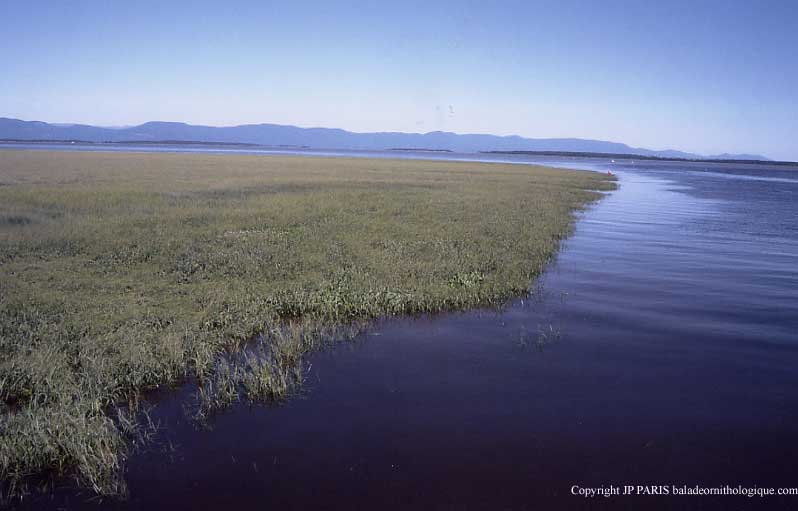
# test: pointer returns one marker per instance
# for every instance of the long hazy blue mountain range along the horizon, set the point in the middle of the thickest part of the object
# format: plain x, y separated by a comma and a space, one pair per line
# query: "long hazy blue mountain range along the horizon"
325, 138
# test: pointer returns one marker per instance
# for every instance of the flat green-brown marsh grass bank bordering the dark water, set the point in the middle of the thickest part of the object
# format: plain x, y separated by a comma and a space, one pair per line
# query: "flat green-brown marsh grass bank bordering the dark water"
123, 272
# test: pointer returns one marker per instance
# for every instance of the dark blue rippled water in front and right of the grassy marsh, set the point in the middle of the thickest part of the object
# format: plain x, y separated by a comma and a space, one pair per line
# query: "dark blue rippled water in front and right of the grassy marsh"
662, 350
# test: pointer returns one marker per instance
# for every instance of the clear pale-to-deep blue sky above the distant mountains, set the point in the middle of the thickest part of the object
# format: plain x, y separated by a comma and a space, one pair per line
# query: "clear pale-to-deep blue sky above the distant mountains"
699, 76
